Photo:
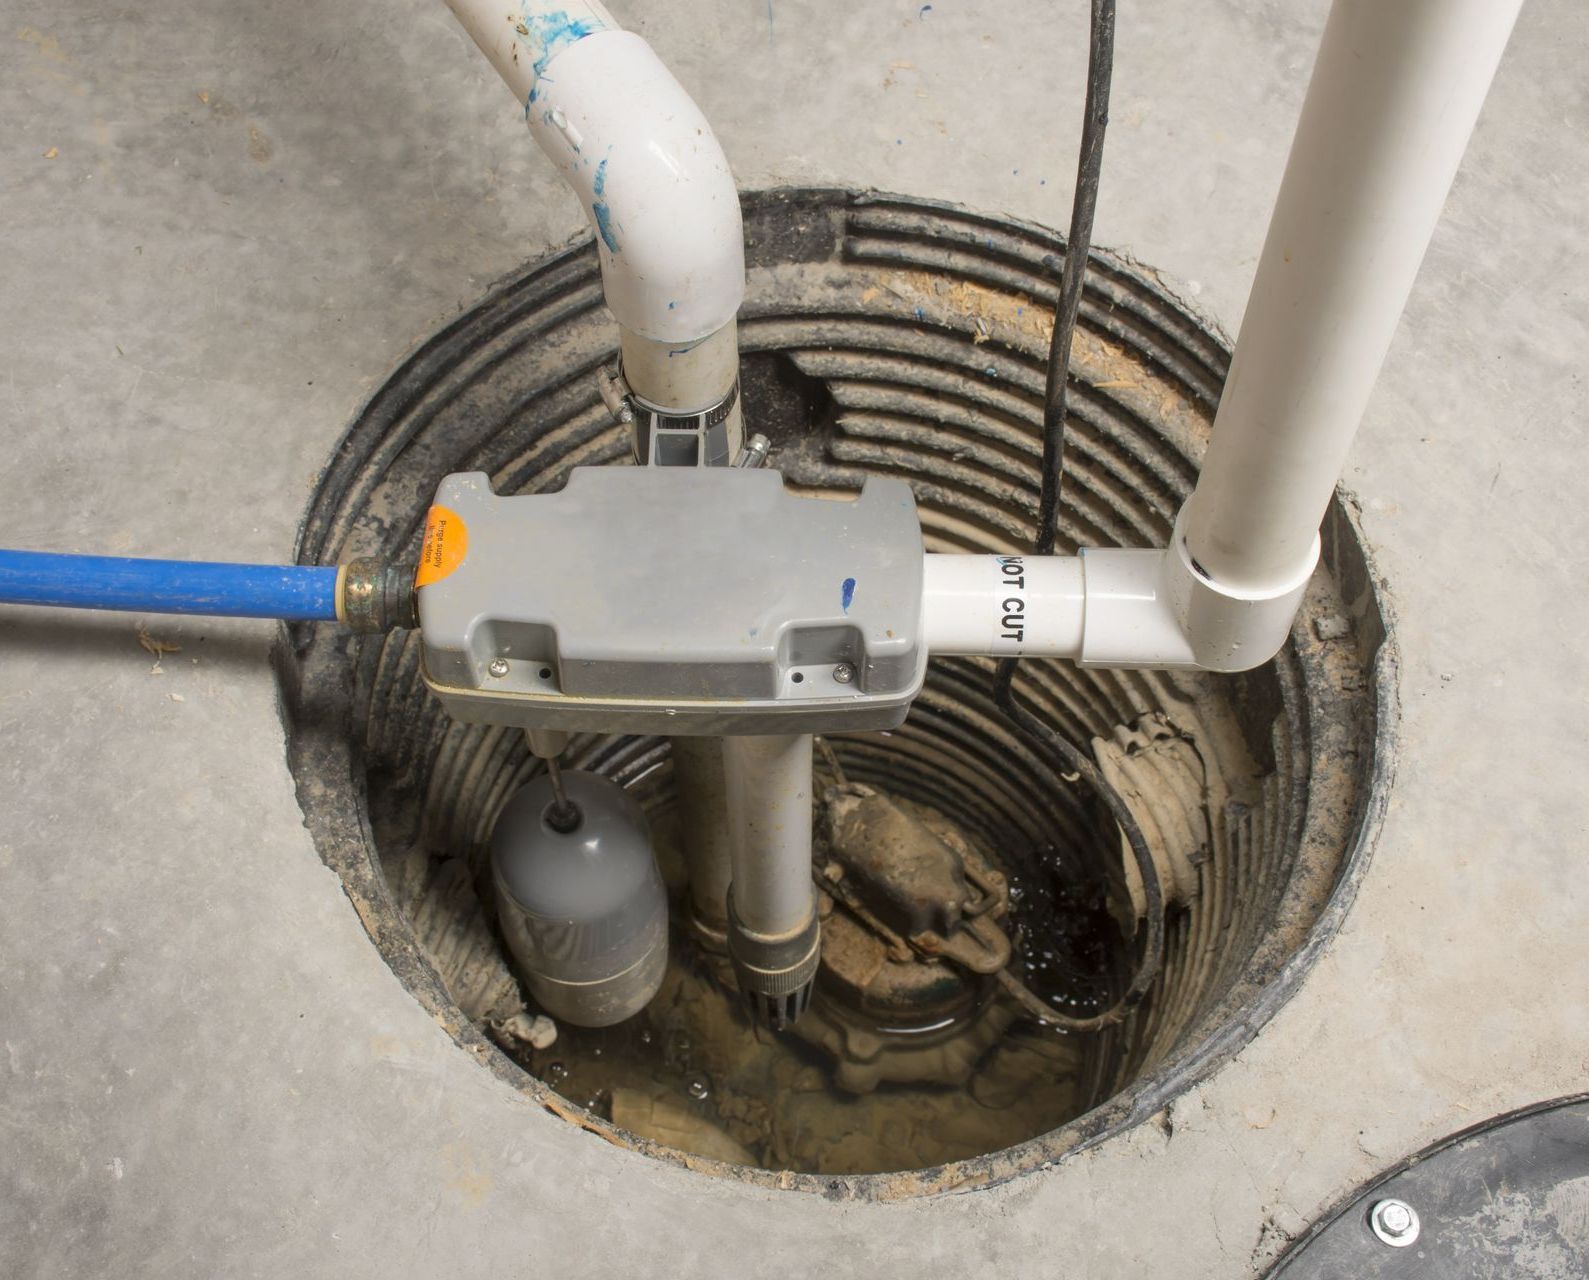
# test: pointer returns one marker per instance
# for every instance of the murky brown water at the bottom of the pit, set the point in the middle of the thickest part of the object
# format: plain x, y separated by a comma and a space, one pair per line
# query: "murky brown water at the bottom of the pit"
692, 1073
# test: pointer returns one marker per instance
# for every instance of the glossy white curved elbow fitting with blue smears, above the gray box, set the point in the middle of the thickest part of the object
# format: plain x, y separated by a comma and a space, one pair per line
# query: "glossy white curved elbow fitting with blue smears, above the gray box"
654, 180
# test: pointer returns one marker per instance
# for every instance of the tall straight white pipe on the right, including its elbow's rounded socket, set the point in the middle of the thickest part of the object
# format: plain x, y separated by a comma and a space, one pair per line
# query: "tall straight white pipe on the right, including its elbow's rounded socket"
1394, 98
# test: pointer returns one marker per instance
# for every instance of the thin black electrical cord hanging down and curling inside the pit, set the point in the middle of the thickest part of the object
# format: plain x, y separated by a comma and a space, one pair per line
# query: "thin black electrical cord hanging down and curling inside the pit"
1089, 168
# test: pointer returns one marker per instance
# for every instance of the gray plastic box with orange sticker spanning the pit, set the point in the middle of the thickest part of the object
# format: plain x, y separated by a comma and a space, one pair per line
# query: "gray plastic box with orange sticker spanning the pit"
675, 601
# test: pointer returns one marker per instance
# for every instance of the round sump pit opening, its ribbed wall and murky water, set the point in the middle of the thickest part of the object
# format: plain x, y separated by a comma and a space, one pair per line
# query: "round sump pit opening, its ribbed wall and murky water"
907, 339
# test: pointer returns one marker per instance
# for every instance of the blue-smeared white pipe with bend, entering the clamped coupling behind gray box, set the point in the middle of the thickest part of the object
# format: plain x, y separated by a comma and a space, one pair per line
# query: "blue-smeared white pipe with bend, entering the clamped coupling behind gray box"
643, 160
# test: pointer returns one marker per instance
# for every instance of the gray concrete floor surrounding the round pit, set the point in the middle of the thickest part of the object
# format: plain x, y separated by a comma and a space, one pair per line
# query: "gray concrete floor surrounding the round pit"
225, 225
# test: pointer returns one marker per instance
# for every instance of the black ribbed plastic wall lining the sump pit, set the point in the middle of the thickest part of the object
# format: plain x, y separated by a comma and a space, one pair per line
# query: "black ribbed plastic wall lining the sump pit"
921, 336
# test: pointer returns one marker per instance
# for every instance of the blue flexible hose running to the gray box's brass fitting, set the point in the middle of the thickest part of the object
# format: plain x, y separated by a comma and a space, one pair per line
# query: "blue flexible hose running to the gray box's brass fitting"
293, 593
